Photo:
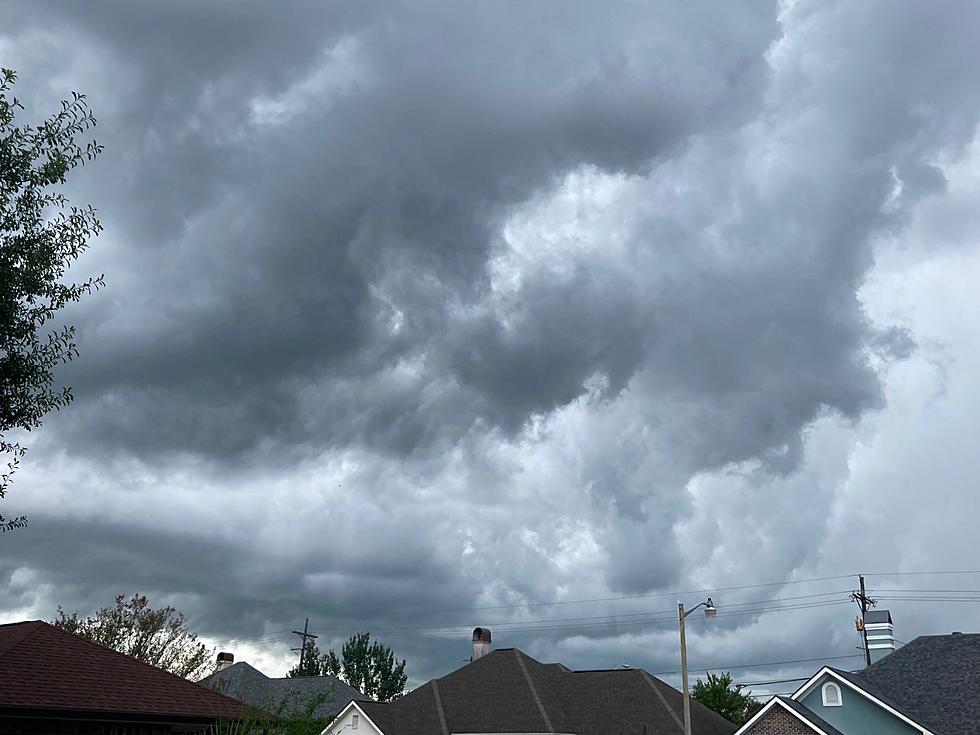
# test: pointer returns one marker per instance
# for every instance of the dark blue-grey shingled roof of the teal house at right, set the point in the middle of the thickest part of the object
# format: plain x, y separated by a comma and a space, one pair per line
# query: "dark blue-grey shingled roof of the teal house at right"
935, 680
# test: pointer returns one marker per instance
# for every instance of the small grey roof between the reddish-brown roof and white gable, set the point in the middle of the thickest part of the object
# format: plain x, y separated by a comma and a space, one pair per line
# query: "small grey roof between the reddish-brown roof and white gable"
288, 696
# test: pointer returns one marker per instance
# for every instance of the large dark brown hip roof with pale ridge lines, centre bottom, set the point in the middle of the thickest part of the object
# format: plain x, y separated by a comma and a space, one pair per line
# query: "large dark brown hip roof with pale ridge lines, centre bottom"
507, 691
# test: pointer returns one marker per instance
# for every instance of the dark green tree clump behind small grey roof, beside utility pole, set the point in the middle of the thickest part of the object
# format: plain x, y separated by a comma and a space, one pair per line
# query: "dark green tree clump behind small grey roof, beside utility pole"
369, 667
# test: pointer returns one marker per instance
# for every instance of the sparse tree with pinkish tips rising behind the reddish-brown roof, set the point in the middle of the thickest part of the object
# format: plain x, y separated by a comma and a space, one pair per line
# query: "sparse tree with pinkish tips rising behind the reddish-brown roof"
157, 637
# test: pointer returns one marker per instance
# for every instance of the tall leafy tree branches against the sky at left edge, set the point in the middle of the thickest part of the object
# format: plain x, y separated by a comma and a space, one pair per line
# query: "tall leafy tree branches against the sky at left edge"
40, 237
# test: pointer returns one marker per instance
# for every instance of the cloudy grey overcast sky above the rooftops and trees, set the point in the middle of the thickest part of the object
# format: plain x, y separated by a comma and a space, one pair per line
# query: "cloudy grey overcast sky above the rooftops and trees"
421, 314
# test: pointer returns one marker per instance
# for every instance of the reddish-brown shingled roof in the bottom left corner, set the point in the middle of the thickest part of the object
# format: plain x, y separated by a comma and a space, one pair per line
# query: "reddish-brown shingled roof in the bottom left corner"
44, 668
